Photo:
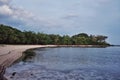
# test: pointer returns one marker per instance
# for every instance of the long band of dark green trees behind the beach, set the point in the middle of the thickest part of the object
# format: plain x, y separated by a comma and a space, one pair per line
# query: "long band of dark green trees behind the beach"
10, 35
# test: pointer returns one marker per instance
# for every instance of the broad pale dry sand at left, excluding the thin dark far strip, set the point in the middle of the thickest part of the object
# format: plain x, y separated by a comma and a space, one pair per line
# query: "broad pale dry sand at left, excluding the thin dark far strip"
10, 53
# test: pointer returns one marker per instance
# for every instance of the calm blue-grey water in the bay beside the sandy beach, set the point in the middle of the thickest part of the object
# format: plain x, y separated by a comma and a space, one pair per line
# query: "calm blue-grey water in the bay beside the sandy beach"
69, 63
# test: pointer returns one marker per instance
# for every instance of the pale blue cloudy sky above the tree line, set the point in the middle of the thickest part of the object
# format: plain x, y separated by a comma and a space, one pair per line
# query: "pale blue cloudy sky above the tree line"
64, 17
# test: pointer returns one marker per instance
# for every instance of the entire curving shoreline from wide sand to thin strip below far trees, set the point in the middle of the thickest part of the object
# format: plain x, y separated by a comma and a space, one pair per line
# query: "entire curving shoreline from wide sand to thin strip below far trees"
10, 53
